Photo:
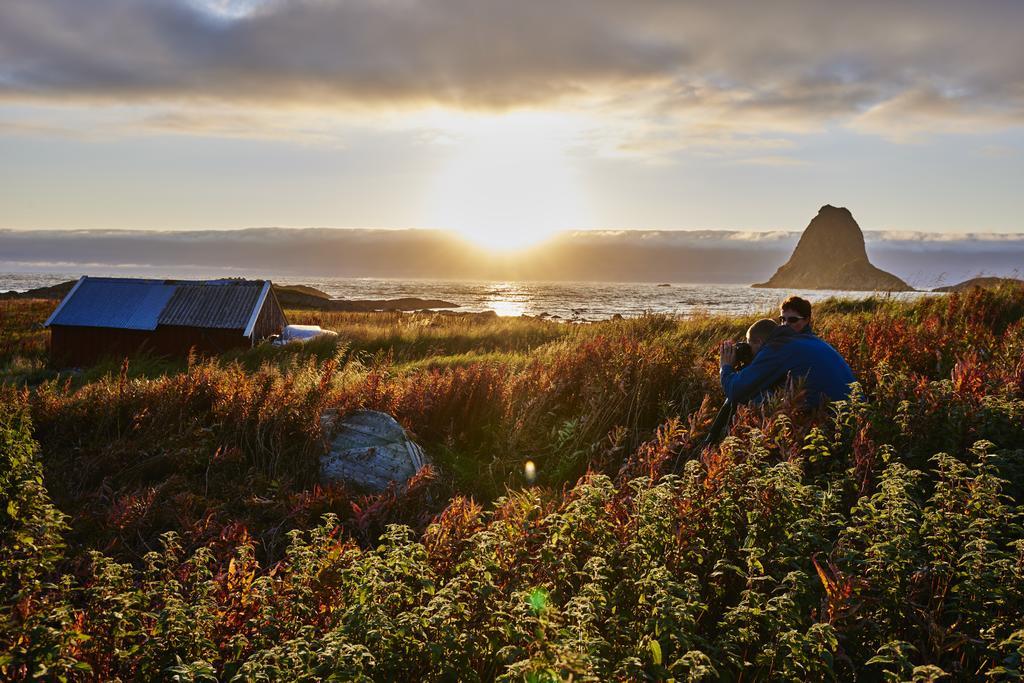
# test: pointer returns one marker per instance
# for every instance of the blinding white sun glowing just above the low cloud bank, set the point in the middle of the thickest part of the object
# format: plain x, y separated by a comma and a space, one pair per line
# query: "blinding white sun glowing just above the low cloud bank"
509, 182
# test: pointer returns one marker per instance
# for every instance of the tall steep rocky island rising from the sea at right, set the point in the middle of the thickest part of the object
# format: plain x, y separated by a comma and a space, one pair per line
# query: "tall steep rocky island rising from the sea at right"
831, 255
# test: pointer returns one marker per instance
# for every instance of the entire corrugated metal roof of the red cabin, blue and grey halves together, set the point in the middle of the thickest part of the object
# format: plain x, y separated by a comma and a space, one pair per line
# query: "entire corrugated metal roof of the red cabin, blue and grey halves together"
144, 305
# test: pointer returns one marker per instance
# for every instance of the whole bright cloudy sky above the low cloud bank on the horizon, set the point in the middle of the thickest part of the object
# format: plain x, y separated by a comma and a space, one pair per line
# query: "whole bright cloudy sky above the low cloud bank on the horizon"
508, 121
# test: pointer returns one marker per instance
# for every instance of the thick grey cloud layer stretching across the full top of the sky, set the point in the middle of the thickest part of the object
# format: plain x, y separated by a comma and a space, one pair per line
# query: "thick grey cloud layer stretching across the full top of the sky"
694, 71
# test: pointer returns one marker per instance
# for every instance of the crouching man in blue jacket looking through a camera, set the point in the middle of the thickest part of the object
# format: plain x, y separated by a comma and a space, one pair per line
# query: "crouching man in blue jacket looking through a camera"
780, 354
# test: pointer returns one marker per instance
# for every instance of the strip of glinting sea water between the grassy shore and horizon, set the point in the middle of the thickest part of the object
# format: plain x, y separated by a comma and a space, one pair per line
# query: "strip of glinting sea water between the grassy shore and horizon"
569, 302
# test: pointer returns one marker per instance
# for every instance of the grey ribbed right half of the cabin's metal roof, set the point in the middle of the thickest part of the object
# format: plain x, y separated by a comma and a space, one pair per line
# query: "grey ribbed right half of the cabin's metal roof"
220, 306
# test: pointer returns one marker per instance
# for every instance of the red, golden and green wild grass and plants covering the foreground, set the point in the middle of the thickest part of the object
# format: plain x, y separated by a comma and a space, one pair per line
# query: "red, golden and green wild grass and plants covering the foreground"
164, 521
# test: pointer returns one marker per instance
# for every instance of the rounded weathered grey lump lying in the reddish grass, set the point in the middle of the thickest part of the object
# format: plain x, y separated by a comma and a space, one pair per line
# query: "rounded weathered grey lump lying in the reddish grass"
370, 450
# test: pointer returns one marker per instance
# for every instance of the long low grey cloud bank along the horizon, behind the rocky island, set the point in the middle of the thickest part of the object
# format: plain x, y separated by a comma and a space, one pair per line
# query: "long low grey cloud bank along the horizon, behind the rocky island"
700, 257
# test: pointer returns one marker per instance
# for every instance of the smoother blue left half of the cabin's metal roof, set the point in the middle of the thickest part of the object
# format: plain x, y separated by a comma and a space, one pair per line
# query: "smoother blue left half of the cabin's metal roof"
112, 303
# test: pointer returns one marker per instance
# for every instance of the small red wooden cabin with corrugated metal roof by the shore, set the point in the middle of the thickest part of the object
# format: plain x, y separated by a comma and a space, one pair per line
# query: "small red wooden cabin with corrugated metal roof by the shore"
119, 317
